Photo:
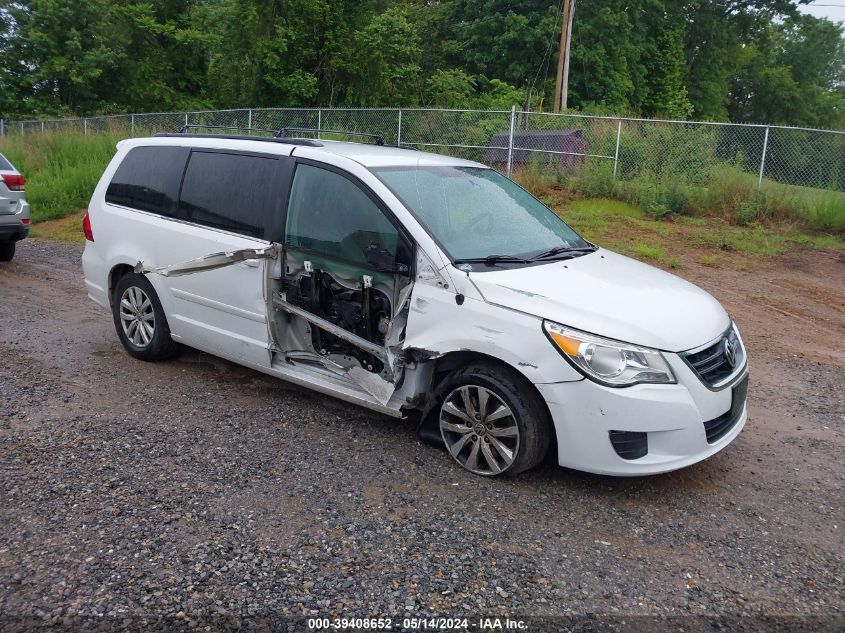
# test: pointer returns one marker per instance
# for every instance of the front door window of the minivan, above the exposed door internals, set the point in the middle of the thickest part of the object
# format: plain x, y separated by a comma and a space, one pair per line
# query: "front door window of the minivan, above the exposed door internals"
330, 214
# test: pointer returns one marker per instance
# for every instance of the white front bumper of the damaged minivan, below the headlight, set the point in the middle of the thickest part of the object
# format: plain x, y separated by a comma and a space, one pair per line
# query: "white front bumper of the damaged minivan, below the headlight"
672, 417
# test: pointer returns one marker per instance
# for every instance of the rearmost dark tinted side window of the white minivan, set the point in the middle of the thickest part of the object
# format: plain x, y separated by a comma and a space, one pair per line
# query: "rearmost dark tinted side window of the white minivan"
148, 179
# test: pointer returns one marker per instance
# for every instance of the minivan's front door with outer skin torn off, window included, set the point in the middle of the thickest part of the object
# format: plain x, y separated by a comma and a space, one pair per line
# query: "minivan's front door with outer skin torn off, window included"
346, 261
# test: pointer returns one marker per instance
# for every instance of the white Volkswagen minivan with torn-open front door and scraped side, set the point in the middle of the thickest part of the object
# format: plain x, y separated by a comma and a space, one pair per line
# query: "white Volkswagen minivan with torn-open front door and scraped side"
416, 285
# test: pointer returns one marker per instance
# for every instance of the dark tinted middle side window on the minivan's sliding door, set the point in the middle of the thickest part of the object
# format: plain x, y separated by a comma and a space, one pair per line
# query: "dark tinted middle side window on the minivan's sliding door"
229, 191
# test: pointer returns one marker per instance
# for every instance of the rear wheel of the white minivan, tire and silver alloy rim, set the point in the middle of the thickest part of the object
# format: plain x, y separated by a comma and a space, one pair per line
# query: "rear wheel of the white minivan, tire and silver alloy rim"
134, 301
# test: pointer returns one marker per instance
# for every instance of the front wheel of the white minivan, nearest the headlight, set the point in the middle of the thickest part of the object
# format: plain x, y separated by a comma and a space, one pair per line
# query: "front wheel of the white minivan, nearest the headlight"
495, 414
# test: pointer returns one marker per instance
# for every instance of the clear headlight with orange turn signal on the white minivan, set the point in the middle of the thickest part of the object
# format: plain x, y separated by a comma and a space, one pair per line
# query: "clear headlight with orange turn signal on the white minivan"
606, 361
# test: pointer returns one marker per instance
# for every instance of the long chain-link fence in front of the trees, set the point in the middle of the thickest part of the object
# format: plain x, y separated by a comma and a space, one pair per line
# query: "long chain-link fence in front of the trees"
625, 149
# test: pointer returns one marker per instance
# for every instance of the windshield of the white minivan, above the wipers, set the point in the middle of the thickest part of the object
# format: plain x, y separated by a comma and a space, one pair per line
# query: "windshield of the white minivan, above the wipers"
474, 212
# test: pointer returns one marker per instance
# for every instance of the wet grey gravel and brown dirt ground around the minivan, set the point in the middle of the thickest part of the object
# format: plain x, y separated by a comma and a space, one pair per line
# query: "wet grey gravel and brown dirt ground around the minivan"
199, 493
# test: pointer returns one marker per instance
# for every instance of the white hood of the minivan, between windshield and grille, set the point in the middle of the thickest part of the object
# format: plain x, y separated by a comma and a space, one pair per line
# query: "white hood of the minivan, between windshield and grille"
610, 295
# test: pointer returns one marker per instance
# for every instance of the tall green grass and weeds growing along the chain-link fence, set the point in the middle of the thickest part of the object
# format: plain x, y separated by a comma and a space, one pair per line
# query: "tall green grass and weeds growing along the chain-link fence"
644, 216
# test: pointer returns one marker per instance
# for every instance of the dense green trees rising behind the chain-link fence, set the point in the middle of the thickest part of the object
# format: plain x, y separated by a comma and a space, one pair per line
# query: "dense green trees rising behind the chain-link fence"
715, 59
